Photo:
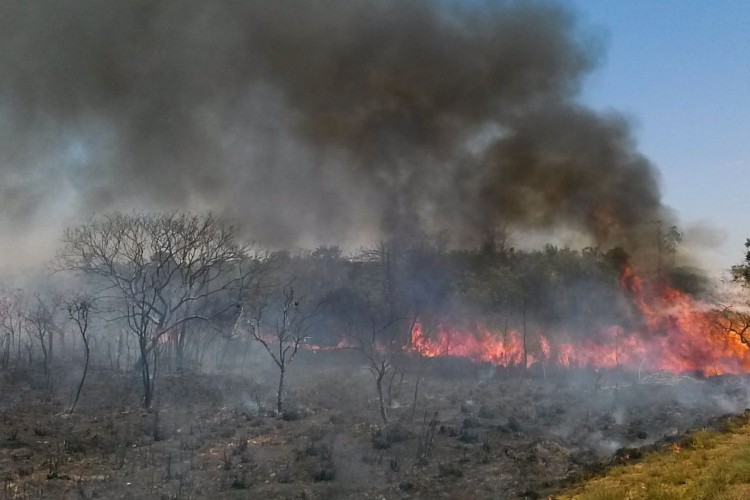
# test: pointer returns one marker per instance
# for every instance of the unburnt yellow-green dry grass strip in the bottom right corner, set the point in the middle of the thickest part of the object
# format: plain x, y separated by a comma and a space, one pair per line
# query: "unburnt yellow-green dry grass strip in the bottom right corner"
707, 465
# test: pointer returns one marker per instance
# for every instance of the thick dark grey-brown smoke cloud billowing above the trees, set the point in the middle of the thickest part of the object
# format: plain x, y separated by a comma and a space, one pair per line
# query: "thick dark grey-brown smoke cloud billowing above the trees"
314, 121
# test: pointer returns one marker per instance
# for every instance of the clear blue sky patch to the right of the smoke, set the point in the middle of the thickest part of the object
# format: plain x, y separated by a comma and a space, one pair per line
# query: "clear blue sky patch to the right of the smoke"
680, 71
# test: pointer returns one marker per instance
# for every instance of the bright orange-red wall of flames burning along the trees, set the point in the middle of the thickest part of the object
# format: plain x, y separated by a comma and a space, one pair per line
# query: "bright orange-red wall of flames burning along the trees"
677, 333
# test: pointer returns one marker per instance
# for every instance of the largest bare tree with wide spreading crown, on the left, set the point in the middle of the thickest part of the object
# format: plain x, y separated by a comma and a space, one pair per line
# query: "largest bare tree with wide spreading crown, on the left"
158, 272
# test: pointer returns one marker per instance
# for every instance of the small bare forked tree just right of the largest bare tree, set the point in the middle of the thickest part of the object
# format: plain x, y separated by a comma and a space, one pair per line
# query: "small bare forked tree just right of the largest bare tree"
282, 331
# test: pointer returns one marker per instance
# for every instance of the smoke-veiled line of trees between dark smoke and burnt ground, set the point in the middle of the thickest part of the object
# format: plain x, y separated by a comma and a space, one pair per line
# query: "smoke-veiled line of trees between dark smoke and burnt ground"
168, 292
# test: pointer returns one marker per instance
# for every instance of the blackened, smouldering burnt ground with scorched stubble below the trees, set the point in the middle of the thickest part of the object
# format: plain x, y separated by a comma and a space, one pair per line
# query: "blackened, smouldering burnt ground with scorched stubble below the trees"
475, 432
